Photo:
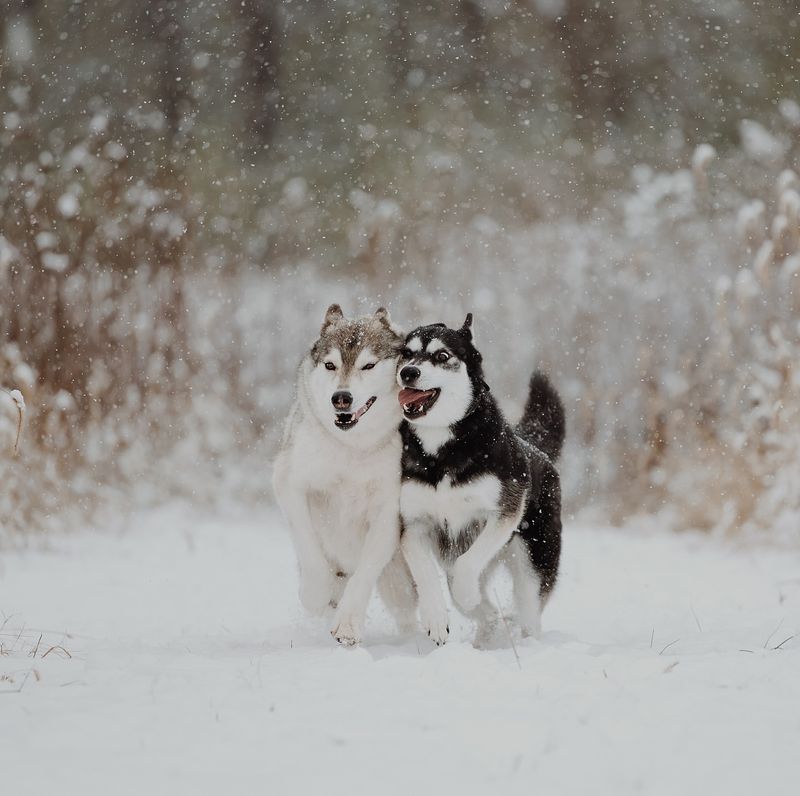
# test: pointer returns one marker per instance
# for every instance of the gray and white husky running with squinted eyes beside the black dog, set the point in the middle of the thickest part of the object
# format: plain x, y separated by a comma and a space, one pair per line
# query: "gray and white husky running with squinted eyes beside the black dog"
337, 476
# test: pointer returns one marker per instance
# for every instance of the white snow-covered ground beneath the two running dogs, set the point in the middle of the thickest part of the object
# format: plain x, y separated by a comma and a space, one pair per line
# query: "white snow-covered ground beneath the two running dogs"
174, 659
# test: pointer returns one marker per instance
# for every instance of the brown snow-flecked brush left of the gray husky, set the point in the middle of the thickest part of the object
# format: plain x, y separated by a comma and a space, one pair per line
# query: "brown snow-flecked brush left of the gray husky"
120, 367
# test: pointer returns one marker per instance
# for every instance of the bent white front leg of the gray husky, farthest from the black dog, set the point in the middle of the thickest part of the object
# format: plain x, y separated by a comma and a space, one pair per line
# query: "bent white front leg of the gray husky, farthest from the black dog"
318, 584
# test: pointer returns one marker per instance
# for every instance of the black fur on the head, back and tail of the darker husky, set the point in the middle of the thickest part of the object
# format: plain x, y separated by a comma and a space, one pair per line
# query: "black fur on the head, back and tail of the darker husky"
484, 443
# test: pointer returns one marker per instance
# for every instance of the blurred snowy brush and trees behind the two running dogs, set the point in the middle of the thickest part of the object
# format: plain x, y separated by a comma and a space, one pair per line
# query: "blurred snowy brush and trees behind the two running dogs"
611, 187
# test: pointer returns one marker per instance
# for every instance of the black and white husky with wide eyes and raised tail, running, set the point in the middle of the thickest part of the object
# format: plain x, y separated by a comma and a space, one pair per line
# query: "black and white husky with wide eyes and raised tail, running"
475, 491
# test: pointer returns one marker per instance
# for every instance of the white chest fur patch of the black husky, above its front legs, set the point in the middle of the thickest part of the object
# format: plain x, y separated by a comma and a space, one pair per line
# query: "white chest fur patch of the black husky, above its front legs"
448, 506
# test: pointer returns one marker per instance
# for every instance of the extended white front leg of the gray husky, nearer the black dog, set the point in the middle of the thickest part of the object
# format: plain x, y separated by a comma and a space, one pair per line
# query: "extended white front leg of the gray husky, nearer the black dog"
380, 545
